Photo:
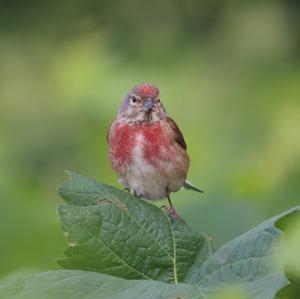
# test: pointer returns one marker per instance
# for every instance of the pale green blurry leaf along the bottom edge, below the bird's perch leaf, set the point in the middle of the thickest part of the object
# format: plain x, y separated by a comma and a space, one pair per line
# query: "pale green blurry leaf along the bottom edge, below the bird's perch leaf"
75, 284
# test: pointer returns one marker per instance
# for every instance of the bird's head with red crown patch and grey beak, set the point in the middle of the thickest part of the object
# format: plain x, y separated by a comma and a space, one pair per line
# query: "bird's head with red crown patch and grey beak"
141, 105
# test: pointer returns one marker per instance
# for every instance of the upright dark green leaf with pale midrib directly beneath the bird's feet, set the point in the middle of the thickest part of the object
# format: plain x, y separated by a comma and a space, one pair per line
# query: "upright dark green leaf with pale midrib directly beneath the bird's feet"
113, 232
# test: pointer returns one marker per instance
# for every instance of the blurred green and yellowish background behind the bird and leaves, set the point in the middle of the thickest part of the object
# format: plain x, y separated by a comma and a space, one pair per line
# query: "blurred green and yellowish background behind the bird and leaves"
229, 74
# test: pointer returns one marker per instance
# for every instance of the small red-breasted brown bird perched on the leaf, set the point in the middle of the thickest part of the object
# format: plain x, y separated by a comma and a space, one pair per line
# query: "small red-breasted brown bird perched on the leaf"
147, 149
